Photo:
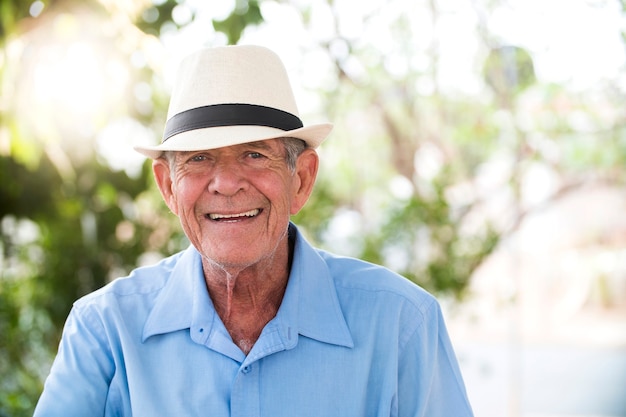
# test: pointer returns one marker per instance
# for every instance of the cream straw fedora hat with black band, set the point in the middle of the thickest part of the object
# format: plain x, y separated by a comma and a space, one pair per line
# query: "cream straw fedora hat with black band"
231, 95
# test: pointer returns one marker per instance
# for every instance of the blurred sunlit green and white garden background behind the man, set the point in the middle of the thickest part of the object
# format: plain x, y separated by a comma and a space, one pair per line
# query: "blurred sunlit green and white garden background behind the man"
479, 149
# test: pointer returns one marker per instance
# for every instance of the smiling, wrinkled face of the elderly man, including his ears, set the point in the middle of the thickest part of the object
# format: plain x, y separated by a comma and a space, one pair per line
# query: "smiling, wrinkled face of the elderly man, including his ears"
234, 202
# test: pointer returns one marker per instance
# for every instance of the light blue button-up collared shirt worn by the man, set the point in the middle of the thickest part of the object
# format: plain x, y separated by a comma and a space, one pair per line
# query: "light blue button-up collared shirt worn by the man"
350, 339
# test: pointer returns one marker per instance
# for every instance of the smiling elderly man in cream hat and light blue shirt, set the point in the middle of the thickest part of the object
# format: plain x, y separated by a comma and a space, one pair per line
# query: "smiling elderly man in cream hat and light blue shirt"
250, 320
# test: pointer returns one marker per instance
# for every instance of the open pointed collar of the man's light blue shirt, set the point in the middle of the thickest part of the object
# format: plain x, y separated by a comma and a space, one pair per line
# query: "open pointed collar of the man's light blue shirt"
310, 306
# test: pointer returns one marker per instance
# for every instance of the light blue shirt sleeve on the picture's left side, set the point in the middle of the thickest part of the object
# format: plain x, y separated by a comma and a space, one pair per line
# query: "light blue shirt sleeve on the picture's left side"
80, 376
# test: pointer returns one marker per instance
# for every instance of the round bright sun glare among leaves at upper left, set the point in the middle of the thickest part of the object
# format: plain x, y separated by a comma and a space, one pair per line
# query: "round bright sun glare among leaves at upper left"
71, 81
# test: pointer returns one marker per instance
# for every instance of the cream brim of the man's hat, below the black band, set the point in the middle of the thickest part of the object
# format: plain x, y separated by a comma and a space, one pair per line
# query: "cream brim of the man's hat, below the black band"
218, 137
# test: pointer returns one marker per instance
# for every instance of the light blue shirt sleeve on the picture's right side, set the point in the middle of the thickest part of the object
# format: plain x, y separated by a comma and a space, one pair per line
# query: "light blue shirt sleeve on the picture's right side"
429, 379
